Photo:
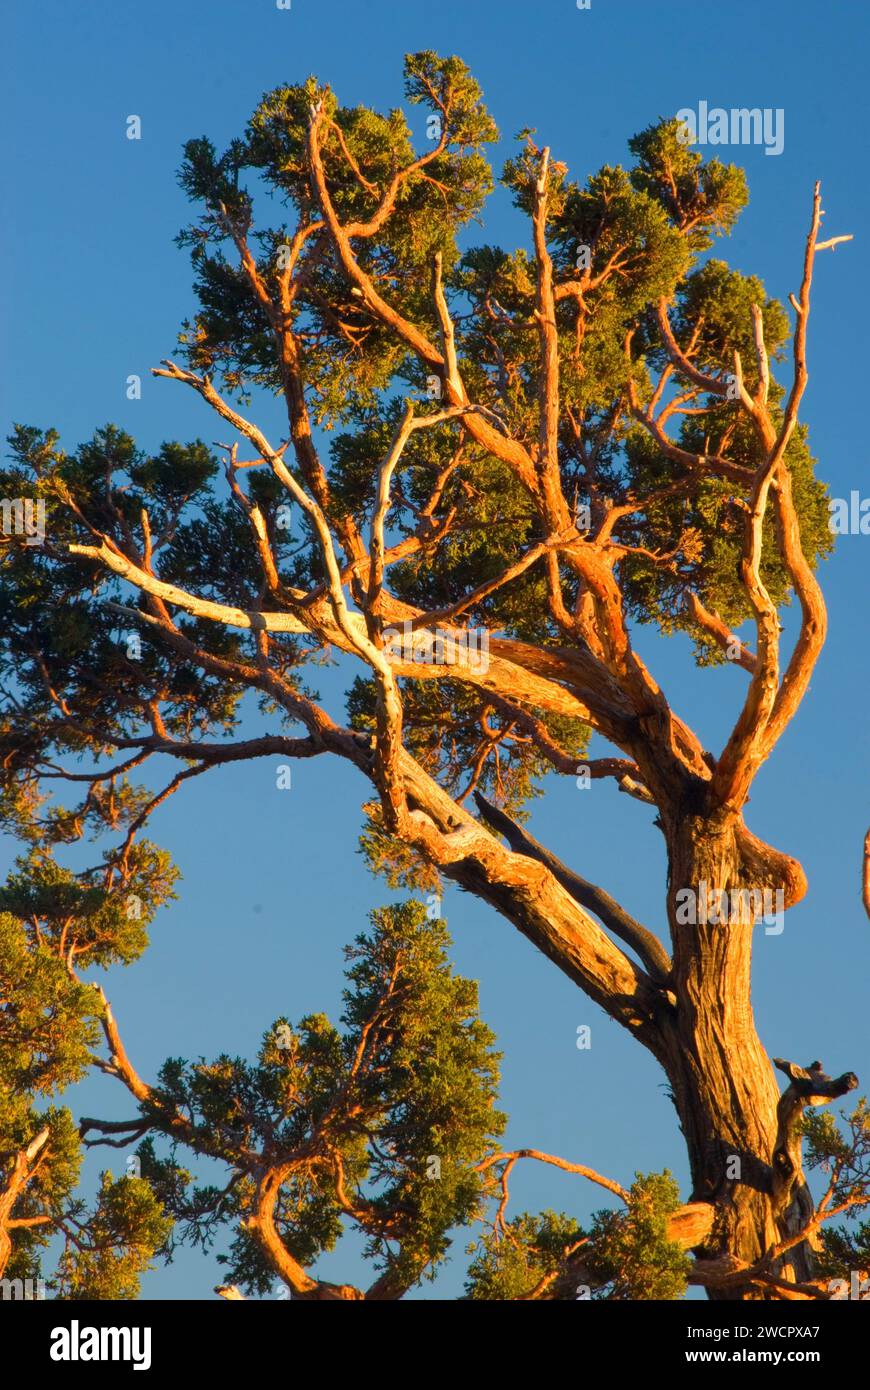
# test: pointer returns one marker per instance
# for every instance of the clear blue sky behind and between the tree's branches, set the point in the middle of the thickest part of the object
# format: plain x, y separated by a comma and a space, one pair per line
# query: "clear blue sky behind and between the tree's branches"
273, 886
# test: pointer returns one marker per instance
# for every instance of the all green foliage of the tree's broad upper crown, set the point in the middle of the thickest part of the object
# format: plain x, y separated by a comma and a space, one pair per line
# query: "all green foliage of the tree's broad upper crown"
416, 193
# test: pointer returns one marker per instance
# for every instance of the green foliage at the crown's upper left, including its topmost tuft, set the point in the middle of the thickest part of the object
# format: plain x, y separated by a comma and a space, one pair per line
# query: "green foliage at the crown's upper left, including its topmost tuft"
231, 334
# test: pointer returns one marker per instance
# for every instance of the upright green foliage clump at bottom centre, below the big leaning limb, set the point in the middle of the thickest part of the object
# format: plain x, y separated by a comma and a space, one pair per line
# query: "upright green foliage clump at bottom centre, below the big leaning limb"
411, 1078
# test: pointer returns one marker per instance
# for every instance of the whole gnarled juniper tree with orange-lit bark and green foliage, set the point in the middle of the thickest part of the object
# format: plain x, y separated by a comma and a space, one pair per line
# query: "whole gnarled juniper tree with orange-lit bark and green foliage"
497, 464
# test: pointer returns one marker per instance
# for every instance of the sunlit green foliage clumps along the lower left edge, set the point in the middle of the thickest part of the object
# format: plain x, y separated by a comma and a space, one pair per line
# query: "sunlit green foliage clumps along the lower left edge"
49, 1028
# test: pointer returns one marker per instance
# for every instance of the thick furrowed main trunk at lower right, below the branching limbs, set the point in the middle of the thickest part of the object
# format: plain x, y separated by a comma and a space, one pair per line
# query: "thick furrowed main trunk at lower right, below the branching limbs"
722, 1078
